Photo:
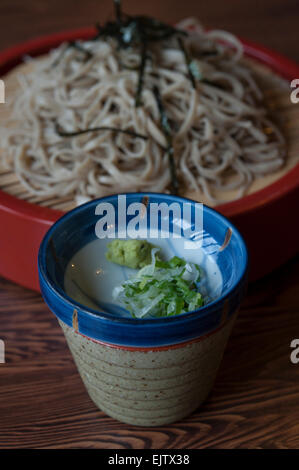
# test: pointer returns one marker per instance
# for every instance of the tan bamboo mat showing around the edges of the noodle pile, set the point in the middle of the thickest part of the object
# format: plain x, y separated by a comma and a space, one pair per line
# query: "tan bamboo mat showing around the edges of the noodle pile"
282, 111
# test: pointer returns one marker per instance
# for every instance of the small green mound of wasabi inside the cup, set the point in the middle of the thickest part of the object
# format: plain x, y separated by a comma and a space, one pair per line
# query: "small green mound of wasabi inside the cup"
131, 253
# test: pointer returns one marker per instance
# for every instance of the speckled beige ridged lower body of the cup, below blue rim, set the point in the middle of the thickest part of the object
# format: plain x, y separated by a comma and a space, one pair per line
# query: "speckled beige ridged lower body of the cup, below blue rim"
152, 386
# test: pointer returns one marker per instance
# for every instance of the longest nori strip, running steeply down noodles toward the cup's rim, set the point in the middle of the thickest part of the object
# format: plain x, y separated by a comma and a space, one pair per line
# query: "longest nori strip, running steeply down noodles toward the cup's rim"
168, 135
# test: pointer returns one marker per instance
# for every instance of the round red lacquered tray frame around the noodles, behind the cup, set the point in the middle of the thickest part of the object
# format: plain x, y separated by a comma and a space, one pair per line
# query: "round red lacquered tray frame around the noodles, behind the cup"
266, 218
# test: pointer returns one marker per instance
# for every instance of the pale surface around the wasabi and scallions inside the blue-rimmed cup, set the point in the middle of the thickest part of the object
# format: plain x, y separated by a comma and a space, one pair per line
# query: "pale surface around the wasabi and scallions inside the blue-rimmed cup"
90, 277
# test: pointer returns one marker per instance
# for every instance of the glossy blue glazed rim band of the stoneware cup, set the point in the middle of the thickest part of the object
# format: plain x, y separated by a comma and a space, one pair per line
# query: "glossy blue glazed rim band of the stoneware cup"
54, 296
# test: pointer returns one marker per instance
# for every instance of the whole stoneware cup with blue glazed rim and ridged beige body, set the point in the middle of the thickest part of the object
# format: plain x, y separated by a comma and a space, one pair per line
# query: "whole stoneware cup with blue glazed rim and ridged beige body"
145, 372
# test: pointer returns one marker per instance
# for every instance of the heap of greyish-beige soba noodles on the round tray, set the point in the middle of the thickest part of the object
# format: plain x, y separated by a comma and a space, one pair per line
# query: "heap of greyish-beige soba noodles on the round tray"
221, 136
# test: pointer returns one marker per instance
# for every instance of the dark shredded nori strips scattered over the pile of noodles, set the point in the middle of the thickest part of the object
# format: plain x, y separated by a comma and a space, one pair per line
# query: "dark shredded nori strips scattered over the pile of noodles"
139, 32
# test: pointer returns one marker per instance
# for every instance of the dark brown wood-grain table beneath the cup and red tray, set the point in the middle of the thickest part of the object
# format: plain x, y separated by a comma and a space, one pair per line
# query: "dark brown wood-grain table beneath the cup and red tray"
255, 401
